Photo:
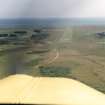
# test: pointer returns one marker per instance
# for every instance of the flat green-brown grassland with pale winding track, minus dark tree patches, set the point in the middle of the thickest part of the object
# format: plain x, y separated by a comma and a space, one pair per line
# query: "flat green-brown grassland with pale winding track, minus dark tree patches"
70, 52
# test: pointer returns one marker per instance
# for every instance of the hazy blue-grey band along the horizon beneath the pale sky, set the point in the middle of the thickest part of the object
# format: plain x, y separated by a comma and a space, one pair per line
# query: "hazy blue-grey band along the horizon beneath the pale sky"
50, 22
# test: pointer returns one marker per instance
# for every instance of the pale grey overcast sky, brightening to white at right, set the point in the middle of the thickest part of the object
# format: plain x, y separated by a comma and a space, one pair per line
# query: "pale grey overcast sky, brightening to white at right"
51, 8
